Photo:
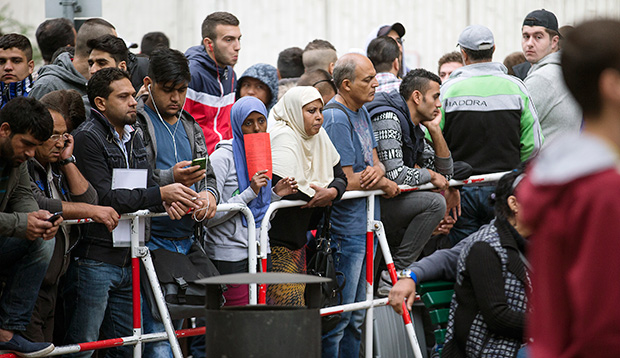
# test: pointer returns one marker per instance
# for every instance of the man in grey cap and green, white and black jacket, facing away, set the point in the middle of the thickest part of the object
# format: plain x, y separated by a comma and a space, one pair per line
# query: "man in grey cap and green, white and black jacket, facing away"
489, 122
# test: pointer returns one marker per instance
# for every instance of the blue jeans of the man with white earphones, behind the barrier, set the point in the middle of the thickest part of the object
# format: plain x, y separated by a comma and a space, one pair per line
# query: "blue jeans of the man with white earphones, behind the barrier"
150, 325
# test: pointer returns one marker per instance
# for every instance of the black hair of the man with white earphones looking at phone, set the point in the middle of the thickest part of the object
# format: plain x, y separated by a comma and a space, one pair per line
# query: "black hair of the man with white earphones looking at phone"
168, 65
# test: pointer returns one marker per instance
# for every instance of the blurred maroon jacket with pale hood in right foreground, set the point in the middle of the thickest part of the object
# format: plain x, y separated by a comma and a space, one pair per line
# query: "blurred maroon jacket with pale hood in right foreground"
570, 201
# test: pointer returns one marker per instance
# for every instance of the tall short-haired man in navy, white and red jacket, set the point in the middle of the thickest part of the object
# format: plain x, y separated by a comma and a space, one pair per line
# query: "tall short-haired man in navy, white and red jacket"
211, 91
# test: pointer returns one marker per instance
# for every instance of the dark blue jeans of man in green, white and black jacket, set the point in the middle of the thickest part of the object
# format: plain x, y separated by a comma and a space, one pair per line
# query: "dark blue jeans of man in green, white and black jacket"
475, 212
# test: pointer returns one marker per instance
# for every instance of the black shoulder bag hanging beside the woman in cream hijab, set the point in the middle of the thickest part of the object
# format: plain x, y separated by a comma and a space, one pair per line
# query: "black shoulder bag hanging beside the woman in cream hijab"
322, 265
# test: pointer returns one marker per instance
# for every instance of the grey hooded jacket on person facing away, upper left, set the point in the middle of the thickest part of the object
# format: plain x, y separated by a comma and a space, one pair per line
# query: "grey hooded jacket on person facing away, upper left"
59, 75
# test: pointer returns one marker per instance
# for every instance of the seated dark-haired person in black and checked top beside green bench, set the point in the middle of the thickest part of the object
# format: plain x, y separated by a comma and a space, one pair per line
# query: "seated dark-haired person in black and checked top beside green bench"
487, 314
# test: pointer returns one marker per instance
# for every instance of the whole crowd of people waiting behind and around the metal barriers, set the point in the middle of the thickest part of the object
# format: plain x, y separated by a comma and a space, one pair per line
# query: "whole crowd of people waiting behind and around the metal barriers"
96, 115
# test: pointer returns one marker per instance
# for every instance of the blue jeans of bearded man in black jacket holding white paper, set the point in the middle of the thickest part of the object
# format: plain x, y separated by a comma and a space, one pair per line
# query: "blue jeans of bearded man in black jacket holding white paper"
98, 297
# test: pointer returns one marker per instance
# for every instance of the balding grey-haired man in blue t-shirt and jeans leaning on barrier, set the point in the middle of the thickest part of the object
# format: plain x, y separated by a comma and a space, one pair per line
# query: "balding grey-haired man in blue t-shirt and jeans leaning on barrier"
347, 123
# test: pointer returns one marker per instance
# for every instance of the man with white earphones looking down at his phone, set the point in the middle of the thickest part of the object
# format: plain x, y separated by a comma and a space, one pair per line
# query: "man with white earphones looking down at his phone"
177, 153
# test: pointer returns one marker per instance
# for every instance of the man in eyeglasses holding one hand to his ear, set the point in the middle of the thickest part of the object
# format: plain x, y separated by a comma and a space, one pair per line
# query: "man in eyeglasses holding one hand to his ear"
58, 186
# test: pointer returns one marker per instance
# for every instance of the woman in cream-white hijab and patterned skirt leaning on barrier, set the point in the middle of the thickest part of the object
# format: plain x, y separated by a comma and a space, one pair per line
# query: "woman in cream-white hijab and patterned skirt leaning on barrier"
300, 148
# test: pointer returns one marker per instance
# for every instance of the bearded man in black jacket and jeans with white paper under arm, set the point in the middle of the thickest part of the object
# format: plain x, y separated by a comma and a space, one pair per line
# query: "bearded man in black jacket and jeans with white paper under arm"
98, 291
